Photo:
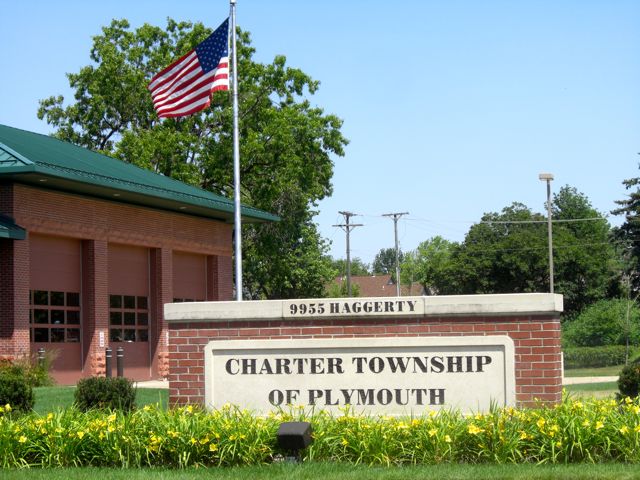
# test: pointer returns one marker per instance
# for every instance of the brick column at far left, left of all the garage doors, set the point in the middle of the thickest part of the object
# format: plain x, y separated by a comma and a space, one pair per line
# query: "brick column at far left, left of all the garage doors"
14, 298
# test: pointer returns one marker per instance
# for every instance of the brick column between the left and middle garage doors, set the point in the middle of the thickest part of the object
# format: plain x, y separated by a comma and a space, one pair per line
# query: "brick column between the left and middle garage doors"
95, 306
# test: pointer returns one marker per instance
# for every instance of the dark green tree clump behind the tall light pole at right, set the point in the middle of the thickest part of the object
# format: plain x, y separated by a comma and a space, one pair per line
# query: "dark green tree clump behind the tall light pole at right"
507, 252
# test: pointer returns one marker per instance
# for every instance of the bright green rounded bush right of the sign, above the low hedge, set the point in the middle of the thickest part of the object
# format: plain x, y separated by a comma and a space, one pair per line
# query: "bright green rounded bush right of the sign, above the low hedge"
603, 323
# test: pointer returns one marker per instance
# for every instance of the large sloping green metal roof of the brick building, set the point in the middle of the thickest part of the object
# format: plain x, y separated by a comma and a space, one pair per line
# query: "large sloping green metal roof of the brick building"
47, 162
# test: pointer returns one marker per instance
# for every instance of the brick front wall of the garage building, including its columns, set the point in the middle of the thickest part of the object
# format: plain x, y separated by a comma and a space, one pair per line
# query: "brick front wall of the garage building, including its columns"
99, 223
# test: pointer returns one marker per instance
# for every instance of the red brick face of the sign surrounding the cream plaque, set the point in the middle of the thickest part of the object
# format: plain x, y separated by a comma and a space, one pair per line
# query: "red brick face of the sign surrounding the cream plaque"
538, 362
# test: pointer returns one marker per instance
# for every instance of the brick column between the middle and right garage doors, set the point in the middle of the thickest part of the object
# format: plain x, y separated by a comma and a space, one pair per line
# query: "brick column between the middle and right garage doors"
161, 280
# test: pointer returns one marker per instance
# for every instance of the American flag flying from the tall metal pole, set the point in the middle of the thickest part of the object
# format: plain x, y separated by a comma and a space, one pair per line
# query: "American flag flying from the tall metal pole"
185, 86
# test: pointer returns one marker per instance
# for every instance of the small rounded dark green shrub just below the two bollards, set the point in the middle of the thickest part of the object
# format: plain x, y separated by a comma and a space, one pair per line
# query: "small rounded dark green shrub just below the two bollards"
105, 392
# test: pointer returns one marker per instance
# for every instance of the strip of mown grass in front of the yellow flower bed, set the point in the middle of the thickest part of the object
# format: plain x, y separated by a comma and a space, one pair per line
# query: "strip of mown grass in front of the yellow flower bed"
330, 471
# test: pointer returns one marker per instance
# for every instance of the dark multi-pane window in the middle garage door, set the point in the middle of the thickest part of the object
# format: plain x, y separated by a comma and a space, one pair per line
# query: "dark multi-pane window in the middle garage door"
128, 318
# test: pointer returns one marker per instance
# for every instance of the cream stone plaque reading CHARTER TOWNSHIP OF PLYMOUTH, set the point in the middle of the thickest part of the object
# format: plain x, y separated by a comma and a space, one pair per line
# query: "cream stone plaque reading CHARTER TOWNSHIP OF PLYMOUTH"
392, 376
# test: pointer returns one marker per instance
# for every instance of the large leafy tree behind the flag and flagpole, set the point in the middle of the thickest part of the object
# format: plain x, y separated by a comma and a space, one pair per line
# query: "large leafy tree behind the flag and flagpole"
287, 144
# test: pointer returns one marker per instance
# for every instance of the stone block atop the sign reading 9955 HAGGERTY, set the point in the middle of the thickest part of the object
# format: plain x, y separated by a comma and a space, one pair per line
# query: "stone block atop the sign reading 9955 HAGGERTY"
352, 307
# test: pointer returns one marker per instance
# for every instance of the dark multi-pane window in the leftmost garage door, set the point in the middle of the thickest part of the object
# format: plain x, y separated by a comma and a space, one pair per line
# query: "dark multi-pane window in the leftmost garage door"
54, 317
